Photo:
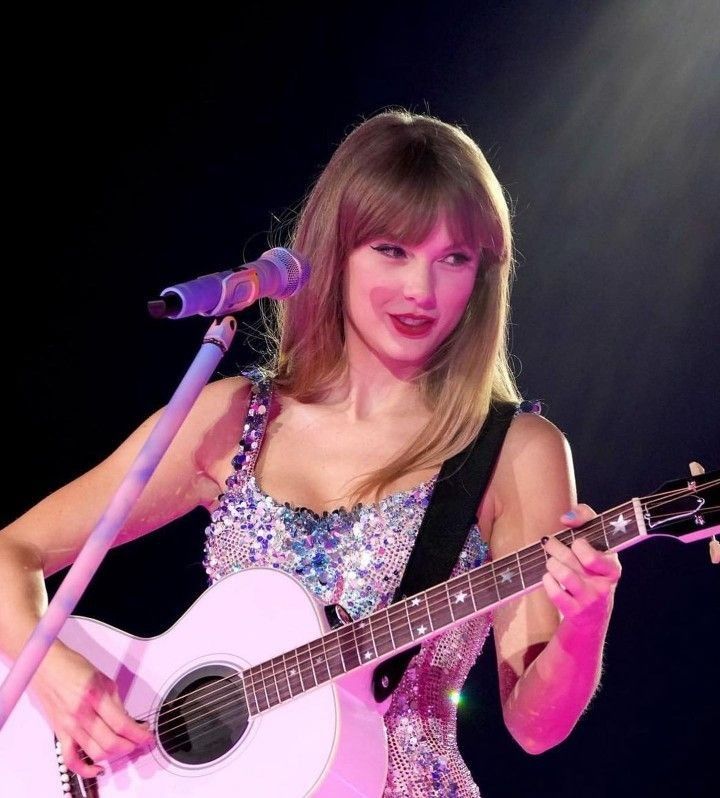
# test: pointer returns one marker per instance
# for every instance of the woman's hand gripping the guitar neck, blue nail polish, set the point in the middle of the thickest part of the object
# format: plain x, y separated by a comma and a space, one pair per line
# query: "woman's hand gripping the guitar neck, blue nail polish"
581, 580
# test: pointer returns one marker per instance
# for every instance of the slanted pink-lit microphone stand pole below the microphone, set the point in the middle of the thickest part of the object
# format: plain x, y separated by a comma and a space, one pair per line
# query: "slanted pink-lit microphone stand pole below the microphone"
216, 343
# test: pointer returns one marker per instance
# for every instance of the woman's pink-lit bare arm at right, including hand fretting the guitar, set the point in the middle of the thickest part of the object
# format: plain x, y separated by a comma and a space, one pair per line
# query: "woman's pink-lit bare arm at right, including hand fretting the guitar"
549, 642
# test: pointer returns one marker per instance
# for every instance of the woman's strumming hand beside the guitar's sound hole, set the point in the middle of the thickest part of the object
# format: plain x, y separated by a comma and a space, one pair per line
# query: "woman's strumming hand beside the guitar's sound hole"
84, 710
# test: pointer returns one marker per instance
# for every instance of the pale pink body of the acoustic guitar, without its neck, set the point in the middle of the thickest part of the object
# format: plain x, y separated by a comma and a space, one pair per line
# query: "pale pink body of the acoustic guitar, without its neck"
328, 742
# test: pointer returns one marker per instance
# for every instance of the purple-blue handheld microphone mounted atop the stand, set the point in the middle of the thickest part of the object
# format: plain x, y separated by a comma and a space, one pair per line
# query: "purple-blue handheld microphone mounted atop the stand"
278, 273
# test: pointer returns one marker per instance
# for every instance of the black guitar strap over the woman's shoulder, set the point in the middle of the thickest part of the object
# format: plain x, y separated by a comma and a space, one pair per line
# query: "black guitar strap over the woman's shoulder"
451, 512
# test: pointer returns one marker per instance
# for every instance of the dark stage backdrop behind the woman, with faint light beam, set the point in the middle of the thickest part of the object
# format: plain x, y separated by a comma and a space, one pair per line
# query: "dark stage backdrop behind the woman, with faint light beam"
144, 149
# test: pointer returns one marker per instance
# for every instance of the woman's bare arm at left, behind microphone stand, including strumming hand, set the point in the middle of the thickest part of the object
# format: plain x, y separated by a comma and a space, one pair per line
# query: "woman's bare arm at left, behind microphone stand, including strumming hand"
81, 704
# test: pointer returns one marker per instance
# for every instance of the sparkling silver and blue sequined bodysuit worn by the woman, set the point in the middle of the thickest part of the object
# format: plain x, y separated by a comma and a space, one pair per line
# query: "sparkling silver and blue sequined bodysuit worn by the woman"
356, 558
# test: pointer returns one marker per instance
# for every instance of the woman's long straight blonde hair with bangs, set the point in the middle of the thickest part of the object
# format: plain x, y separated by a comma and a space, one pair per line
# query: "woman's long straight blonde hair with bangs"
394, 175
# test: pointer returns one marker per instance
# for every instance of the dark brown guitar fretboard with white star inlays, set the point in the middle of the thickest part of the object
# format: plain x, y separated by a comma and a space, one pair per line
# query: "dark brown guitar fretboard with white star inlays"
419, 617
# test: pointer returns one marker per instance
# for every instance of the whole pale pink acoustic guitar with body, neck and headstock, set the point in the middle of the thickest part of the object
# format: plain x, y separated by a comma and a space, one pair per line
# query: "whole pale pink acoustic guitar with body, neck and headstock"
251, 694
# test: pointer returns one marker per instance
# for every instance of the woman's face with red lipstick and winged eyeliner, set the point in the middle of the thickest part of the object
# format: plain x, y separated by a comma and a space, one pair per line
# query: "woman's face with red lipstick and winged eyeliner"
403, 301
